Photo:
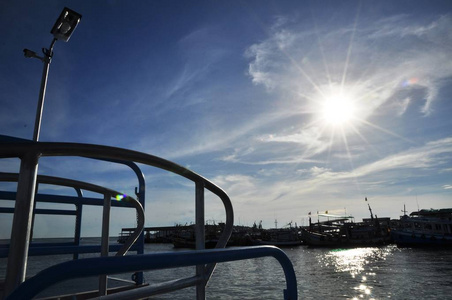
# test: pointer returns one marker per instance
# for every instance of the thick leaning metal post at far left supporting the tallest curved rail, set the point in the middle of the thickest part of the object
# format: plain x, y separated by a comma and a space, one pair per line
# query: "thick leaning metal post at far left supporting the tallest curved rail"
22, 222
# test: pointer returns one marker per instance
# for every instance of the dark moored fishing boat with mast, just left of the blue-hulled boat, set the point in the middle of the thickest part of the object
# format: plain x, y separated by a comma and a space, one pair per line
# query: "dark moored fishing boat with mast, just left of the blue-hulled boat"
342, 231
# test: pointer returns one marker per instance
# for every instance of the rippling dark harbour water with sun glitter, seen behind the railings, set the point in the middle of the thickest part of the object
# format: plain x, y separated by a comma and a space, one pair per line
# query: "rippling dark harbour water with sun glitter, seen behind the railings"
386, 272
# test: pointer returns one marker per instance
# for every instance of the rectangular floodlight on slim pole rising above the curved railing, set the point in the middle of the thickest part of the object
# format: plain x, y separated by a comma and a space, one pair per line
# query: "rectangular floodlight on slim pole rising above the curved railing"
61, 30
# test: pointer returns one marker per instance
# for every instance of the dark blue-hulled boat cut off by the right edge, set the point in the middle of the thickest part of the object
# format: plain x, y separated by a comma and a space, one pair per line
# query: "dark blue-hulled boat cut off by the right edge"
424, 228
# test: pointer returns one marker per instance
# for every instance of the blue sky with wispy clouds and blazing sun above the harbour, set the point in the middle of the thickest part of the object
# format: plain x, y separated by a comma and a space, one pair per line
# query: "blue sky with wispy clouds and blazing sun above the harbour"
292, 107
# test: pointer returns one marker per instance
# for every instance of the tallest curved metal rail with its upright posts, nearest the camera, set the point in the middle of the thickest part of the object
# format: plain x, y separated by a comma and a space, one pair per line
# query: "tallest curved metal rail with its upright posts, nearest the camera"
30, 152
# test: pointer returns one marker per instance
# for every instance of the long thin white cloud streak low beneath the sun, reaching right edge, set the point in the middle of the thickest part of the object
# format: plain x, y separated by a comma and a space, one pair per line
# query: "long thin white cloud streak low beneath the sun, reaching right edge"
420, 162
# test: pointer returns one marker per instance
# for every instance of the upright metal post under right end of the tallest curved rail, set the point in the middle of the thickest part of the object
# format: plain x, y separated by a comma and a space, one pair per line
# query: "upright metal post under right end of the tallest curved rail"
200, 238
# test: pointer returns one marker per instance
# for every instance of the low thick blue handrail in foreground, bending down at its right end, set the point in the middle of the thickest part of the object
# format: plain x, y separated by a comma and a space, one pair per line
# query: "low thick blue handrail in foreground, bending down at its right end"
114, 265
